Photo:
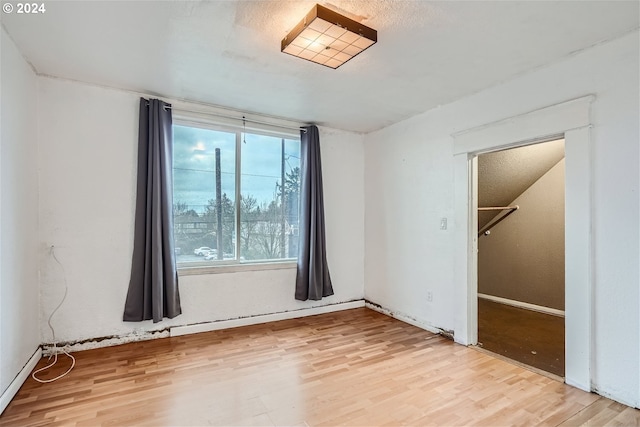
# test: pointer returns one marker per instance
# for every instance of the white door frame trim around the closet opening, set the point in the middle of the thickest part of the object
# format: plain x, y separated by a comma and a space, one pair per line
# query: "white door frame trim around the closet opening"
571, 120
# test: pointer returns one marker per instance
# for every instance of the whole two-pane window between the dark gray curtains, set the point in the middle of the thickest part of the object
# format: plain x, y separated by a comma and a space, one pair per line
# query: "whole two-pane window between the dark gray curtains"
235, 195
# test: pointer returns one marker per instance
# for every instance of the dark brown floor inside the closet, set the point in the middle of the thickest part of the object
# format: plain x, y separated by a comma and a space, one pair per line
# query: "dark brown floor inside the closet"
526, 336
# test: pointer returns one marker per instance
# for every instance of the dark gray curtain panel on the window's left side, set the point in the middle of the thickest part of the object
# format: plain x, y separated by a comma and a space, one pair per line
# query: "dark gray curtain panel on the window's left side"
153, 288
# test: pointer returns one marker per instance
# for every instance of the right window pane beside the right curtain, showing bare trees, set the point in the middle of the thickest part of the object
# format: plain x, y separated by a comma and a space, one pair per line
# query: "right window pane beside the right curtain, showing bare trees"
269, 210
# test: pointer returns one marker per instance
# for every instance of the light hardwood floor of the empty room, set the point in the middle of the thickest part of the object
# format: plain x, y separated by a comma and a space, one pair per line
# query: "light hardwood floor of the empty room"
355, 367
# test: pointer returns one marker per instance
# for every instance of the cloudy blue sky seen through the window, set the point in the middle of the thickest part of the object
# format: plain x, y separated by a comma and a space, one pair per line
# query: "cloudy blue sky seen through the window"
194, 164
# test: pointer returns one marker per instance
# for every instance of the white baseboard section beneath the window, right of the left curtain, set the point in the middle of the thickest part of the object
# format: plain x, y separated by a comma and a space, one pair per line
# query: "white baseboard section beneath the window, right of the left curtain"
254, 320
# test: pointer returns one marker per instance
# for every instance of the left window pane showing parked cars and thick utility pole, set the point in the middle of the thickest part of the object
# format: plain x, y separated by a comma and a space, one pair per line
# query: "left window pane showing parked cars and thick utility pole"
202, 221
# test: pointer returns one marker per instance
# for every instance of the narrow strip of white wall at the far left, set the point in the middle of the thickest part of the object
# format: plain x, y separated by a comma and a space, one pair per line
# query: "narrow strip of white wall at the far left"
19, 323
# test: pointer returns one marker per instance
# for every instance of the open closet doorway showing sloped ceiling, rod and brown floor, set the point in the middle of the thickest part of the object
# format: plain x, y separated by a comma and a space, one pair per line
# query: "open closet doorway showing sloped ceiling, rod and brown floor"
521, 253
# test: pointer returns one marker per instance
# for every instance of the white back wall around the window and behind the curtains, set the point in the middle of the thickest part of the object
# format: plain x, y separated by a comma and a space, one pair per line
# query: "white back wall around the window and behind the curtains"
88, 145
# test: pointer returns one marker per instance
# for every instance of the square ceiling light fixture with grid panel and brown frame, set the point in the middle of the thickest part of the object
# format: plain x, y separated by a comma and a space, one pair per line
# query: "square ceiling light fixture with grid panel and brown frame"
328, 38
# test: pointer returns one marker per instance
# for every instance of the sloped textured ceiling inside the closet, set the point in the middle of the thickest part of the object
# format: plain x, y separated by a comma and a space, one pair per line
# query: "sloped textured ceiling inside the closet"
505, 175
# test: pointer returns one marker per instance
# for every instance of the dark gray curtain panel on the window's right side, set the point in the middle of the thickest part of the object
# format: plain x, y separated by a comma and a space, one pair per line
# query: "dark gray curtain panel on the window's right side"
313, 280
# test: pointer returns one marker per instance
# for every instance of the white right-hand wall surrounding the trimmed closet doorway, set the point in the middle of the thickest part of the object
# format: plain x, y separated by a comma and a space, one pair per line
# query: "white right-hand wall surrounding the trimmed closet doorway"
409, 186
